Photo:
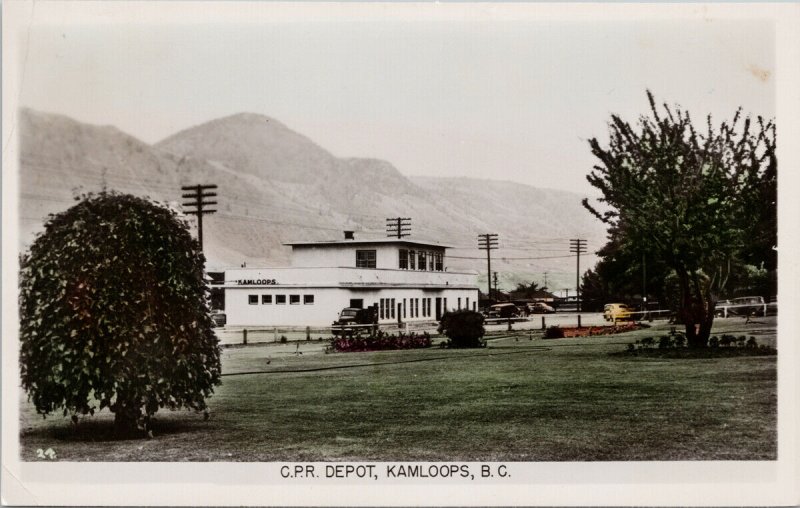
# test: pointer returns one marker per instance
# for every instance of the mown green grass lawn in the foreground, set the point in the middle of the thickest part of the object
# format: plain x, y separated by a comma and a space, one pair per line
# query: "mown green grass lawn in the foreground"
518, 399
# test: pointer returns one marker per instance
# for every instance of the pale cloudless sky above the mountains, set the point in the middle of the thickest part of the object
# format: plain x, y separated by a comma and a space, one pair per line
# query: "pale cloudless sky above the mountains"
488, 98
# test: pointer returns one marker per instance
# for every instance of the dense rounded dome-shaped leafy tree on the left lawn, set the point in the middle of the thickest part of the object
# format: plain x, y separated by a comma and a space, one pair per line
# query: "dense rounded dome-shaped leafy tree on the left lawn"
113, 313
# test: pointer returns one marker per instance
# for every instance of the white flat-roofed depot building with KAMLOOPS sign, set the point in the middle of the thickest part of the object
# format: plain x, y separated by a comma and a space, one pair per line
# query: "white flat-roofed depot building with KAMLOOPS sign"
407, 281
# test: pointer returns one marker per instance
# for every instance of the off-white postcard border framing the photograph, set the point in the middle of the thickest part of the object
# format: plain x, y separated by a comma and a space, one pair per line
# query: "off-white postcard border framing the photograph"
625, 483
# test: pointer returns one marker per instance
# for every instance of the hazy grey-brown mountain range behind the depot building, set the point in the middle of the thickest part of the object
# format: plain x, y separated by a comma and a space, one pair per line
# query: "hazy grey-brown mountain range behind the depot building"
275, 185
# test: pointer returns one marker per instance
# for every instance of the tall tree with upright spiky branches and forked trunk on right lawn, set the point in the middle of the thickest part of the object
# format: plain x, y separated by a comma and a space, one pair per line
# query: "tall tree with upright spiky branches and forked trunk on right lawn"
686, 197
